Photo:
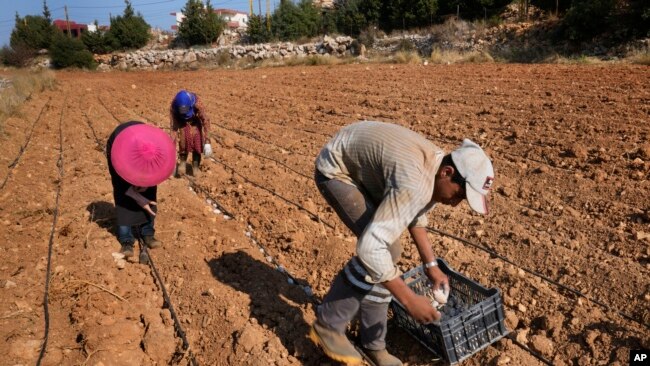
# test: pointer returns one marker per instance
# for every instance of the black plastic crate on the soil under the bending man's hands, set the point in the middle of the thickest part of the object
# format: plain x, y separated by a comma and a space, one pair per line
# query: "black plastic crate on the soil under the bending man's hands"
455, 337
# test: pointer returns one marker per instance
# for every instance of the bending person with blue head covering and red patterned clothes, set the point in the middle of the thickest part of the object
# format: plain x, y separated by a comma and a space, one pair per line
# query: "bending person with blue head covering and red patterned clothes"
190, 127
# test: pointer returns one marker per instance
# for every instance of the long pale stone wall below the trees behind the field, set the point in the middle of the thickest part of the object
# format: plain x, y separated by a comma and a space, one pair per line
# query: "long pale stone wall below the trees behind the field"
158, 59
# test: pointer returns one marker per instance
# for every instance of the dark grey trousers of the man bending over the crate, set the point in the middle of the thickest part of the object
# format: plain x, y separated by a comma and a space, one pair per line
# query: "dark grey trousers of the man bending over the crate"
343, 301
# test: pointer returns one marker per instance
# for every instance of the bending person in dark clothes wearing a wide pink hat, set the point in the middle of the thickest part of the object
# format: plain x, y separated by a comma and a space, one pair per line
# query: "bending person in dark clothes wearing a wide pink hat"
139, 158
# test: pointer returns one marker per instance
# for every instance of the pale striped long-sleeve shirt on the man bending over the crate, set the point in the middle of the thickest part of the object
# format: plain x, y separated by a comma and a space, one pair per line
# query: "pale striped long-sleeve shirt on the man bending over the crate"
397, 168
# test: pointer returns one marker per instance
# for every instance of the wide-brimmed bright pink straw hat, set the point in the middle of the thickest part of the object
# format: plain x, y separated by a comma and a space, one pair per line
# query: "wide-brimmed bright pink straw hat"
143, 155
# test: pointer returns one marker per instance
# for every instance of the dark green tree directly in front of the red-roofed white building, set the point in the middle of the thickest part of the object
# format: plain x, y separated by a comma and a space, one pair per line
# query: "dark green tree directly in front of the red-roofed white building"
201, 25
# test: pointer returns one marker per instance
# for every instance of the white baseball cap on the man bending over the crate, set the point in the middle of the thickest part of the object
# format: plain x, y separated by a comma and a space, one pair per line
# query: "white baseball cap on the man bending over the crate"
476, 168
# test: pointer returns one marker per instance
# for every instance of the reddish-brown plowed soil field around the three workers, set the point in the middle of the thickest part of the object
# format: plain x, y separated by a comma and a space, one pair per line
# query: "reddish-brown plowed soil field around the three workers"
249, 246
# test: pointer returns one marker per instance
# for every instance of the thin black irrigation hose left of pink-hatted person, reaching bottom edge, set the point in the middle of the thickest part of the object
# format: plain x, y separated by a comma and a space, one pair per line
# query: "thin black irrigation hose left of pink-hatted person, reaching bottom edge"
55, 218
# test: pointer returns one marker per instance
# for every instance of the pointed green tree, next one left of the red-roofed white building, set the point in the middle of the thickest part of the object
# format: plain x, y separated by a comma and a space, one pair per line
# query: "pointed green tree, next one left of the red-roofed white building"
129, 30
